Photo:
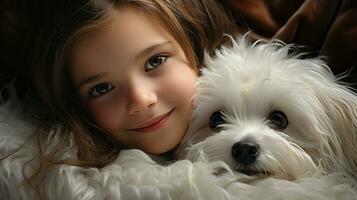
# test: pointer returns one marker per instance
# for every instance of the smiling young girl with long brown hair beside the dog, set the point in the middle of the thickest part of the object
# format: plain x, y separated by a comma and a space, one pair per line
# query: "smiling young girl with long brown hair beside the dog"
121, 74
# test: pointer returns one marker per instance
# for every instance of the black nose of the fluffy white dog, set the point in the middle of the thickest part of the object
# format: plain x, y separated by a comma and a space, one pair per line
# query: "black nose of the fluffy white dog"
245, 152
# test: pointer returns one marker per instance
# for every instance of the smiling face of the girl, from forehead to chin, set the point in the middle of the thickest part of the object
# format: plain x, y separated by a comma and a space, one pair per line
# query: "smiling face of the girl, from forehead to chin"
136, 82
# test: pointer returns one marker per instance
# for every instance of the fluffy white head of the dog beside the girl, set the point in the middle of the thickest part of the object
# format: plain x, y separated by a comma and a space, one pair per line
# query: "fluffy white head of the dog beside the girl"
266, 112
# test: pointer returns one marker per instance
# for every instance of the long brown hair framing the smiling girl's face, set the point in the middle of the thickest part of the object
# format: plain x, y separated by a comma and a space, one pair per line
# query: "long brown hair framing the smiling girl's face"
196, 25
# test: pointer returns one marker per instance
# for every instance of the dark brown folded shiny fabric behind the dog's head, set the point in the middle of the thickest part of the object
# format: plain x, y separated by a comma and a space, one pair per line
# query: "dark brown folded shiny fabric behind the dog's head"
328, 27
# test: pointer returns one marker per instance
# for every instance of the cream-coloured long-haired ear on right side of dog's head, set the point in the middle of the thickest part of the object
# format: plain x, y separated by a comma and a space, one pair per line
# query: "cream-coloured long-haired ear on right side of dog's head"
340, 109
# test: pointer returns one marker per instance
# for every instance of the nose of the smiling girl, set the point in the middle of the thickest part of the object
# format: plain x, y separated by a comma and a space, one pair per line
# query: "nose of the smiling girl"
141, 99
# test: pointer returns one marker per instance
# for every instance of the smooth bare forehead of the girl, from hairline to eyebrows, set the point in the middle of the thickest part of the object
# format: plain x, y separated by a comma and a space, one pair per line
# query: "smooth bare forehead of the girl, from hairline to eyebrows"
122, 40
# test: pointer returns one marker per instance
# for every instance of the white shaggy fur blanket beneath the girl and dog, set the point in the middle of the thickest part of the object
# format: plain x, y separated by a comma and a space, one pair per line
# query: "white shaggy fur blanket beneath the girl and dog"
134, 175
